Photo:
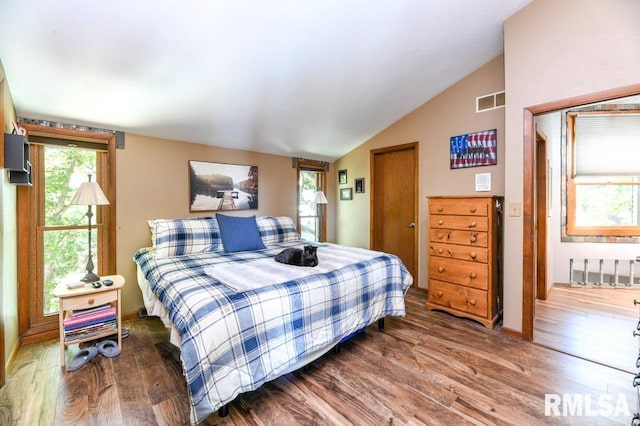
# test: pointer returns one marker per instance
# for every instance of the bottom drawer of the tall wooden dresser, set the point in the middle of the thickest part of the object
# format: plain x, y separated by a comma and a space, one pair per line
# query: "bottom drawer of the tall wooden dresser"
460, 298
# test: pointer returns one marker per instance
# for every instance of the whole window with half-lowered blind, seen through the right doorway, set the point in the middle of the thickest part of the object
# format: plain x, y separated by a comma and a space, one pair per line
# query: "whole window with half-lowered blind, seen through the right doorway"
603, 179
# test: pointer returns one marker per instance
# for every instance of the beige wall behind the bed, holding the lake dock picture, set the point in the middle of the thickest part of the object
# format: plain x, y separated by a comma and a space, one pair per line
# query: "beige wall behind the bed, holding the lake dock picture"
153, 182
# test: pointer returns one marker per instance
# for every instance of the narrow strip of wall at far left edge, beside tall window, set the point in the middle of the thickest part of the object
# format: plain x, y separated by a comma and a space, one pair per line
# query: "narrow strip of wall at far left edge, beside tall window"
8, 237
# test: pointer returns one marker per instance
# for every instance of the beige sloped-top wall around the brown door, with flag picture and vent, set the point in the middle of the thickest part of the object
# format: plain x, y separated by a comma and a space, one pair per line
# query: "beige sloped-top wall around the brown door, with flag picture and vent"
449, 114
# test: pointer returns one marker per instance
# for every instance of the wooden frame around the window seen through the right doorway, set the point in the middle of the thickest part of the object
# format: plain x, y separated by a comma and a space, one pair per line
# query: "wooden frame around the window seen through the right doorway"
572, 230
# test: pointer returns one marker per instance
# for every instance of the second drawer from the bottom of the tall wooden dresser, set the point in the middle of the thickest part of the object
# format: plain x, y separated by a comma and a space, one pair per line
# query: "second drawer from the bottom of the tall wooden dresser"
470, 274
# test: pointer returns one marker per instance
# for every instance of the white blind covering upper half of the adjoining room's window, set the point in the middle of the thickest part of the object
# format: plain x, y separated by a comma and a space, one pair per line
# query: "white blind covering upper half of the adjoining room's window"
607, 144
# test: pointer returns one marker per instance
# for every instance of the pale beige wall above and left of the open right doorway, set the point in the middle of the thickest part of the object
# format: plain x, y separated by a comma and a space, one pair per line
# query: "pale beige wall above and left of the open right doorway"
556, 50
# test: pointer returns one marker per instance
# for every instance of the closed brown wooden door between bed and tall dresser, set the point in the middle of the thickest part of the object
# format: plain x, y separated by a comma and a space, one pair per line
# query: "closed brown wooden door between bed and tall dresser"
394, 204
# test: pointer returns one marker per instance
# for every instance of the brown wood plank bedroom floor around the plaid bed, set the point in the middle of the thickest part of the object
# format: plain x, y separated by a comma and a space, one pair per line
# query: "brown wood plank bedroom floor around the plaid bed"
428, 368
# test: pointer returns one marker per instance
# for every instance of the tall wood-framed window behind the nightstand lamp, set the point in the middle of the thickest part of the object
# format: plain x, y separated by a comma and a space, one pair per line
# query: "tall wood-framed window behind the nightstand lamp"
52, 245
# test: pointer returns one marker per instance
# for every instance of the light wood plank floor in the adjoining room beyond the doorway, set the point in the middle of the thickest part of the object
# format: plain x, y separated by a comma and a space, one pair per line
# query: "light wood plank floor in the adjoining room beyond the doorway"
592, 323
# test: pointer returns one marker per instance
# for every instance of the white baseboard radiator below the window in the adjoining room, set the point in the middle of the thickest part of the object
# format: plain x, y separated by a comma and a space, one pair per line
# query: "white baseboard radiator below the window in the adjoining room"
604, 272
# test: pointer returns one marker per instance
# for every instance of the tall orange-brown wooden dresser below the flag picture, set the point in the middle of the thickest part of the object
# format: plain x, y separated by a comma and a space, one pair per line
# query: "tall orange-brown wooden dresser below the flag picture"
464, 257
